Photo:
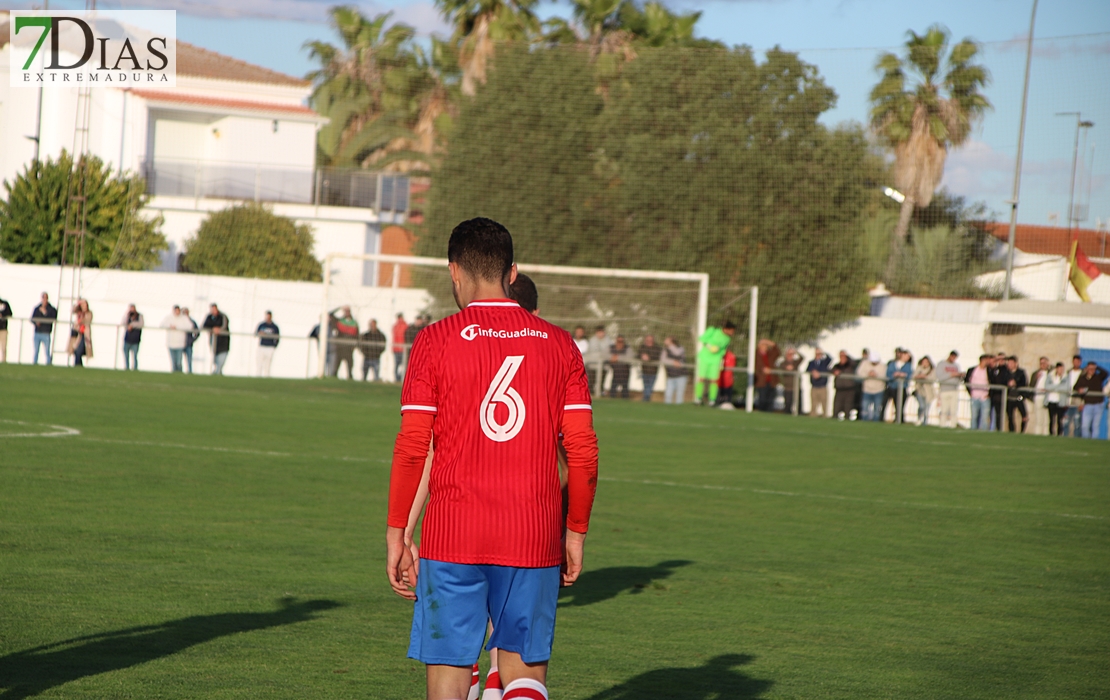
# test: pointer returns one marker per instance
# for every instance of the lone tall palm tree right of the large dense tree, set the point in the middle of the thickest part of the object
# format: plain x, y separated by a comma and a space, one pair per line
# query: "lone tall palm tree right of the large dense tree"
925, 105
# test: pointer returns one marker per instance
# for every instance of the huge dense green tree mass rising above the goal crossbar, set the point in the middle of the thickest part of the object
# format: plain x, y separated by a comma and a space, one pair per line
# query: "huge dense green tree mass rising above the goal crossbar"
697, 161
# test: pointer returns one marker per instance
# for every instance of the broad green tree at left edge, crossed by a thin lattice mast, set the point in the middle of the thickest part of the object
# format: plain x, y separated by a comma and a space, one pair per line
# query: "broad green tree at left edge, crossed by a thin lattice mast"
33, 216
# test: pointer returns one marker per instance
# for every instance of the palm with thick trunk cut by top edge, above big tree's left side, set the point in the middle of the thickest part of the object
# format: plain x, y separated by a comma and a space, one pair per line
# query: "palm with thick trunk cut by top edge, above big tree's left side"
479, 25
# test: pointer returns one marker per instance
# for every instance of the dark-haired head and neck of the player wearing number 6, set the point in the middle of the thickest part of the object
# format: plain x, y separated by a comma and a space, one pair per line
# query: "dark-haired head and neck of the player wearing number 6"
481, 256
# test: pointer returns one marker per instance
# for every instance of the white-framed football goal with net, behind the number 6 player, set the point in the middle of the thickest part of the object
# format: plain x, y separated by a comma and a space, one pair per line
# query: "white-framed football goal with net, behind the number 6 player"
632, 303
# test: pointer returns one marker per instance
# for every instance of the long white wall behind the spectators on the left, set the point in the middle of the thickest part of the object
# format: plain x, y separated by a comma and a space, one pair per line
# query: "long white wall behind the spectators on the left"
296, 307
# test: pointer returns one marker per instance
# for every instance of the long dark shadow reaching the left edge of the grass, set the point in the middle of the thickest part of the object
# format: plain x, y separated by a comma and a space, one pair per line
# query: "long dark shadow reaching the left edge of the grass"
27, 674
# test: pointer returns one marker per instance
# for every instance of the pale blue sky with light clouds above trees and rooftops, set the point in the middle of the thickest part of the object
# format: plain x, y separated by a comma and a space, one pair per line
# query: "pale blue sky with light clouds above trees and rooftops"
843, 38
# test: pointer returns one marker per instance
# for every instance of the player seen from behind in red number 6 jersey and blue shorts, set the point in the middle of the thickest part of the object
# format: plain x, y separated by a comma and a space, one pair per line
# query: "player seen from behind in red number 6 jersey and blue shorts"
497, 385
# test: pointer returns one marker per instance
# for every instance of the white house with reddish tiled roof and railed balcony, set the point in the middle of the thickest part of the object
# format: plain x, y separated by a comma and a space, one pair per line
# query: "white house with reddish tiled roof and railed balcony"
229, 133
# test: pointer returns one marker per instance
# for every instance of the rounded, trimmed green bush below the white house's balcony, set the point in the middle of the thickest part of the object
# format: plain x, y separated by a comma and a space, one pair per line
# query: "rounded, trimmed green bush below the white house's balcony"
251, 241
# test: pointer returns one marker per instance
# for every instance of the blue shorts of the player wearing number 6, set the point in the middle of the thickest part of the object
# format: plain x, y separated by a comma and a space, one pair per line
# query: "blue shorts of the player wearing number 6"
456, 601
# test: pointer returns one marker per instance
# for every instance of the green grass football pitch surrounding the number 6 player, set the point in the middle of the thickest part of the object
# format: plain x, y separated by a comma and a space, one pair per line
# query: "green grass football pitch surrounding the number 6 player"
211, 537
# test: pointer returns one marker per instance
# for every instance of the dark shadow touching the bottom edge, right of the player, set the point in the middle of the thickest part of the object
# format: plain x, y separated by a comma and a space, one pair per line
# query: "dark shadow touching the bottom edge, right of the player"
718, 681
